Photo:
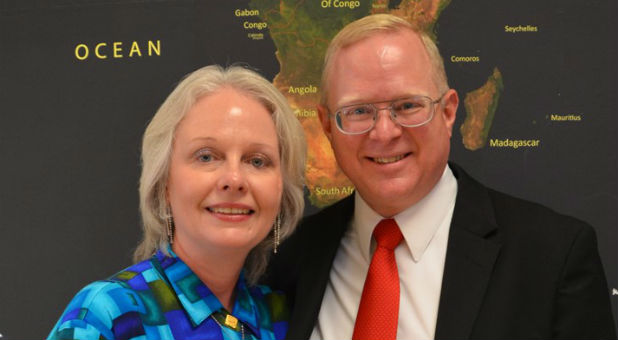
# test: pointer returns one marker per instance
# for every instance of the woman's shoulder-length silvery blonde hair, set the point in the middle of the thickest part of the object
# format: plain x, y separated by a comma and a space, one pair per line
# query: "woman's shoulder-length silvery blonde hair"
157, 148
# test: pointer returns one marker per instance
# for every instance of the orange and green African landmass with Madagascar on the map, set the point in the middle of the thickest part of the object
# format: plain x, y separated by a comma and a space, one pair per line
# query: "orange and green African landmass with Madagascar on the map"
301, 31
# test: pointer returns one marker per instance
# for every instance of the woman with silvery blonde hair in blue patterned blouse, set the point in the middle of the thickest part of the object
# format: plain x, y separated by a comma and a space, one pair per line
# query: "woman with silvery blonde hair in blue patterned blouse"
221, 185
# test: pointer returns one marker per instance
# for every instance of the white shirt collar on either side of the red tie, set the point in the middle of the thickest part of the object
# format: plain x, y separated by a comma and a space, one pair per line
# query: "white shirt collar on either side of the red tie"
418, 223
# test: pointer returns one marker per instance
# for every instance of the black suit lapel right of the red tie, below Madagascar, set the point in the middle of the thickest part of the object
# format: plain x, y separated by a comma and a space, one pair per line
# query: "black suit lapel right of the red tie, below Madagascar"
471, 254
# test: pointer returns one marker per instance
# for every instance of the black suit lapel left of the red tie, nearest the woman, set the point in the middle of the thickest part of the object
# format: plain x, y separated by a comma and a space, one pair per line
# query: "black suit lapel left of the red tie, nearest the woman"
317, 261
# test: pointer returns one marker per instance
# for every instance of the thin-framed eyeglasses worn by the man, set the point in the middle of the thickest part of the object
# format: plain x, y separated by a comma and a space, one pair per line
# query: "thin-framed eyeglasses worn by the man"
413, 111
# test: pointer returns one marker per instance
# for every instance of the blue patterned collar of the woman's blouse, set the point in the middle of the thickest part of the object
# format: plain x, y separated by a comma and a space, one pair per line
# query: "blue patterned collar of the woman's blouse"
198, 300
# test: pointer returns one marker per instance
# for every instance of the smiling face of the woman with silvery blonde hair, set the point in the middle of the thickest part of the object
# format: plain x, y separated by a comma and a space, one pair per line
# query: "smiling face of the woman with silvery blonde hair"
225, 184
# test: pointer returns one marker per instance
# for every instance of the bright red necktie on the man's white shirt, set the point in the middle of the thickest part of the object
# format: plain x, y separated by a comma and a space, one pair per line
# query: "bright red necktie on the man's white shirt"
379, 307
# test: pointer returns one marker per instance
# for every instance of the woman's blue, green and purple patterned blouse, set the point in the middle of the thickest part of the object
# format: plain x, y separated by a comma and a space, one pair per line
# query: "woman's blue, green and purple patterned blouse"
161, 298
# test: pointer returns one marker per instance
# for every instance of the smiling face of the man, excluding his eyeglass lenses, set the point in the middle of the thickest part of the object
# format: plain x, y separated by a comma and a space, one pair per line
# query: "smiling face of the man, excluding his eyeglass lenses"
392, 167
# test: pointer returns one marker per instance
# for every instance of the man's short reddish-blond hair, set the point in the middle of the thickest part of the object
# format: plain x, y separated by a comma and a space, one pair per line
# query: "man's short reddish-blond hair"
375, 24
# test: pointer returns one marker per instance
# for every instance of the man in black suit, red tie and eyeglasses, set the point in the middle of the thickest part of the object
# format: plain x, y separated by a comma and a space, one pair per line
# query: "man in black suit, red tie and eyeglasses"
422, 250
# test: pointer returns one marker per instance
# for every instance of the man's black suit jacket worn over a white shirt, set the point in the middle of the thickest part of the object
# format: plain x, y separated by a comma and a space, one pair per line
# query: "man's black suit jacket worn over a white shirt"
514, 269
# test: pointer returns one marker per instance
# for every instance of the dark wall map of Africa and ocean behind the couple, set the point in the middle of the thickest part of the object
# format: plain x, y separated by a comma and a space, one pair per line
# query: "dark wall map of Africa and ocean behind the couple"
80, 79
